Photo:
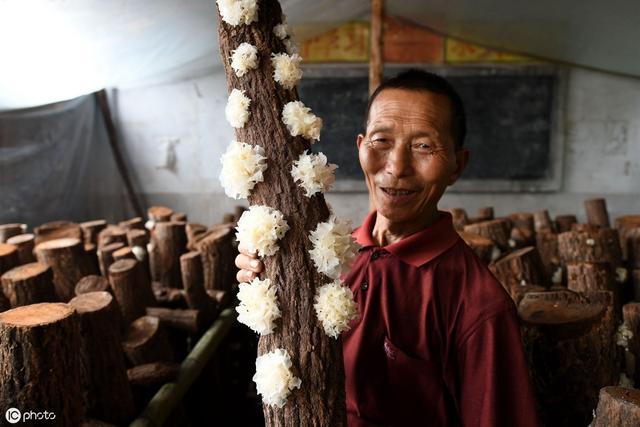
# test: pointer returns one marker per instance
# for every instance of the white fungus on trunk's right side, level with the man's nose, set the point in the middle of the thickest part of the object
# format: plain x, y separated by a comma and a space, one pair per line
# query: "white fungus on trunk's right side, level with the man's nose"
313, 173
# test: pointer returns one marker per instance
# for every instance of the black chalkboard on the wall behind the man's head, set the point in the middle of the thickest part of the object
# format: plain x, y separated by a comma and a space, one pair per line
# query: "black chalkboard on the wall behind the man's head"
509, 120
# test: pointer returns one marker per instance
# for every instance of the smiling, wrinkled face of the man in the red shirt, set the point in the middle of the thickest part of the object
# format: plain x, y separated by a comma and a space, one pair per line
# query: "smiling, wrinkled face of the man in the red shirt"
408, 154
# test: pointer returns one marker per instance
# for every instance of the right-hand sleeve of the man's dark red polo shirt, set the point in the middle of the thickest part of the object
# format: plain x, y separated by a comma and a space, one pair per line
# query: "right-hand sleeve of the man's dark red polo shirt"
495, 388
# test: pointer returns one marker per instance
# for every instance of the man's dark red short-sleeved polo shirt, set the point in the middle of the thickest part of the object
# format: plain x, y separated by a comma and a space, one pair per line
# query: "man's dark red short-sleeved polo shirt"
437, 342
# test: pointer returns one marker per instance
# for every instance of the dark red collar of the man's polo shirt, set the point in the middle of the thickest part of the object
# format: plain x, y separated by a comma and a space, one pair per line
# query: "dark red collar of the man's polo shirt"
418, 248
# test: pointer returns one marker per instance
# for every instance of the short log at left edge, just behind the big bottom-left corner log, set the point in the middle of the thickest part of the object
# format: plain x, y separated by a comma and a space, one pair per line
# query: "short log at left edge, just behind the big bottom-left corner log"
29, 284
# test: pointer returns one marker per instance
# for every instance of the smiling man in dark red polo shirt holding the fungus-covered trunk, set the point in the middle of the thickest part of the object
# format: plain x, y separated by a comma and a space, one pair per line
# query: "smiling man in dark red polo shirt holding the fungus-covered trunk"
437, 342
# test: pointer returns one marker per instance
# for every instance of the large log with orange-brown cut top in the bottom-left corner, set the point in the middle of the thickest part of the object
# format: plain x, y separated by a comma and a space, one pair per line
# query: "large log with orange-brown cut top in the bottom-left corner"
40, 361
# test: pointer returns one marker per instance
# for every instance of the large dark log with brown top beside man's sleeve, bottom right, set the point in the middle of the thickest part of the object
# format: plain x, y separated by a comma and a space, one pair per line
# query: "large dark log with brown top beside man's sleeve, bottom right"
557, 327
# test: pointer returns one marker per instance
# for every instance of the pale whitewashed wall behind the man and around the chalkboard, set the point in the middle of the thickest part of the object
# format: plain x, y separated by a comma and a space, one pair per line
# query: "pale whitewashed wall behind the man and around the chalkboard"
601, 150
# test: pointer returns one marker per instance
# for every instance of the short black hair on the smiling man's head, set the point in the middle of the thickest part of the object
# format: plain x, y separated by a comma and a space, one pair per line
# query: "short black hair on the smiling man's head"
420, 80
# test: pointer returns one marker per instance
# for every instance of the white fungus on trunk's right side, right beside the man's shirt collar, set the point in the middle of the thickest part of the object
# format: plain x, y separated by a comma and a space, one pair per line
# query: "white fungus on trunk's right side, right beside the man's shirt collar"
333, 247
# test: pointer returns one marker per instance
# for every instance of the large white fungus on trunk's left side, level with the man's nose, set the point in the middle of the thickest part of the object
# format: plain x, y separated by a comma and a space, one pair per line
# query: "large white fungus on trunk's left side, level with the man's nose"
242, 167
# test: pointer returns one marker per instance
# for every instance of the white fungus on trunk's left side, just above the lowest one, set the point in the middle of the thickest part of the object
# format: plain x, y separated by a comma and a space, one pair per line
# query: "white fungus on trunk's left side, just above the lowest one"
258, 308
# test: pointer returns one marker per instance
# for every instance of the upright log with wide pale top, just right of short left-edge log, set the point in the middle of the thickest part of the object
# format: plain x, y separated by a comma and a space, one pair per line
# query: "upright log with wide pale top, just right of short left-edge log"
69, 263
